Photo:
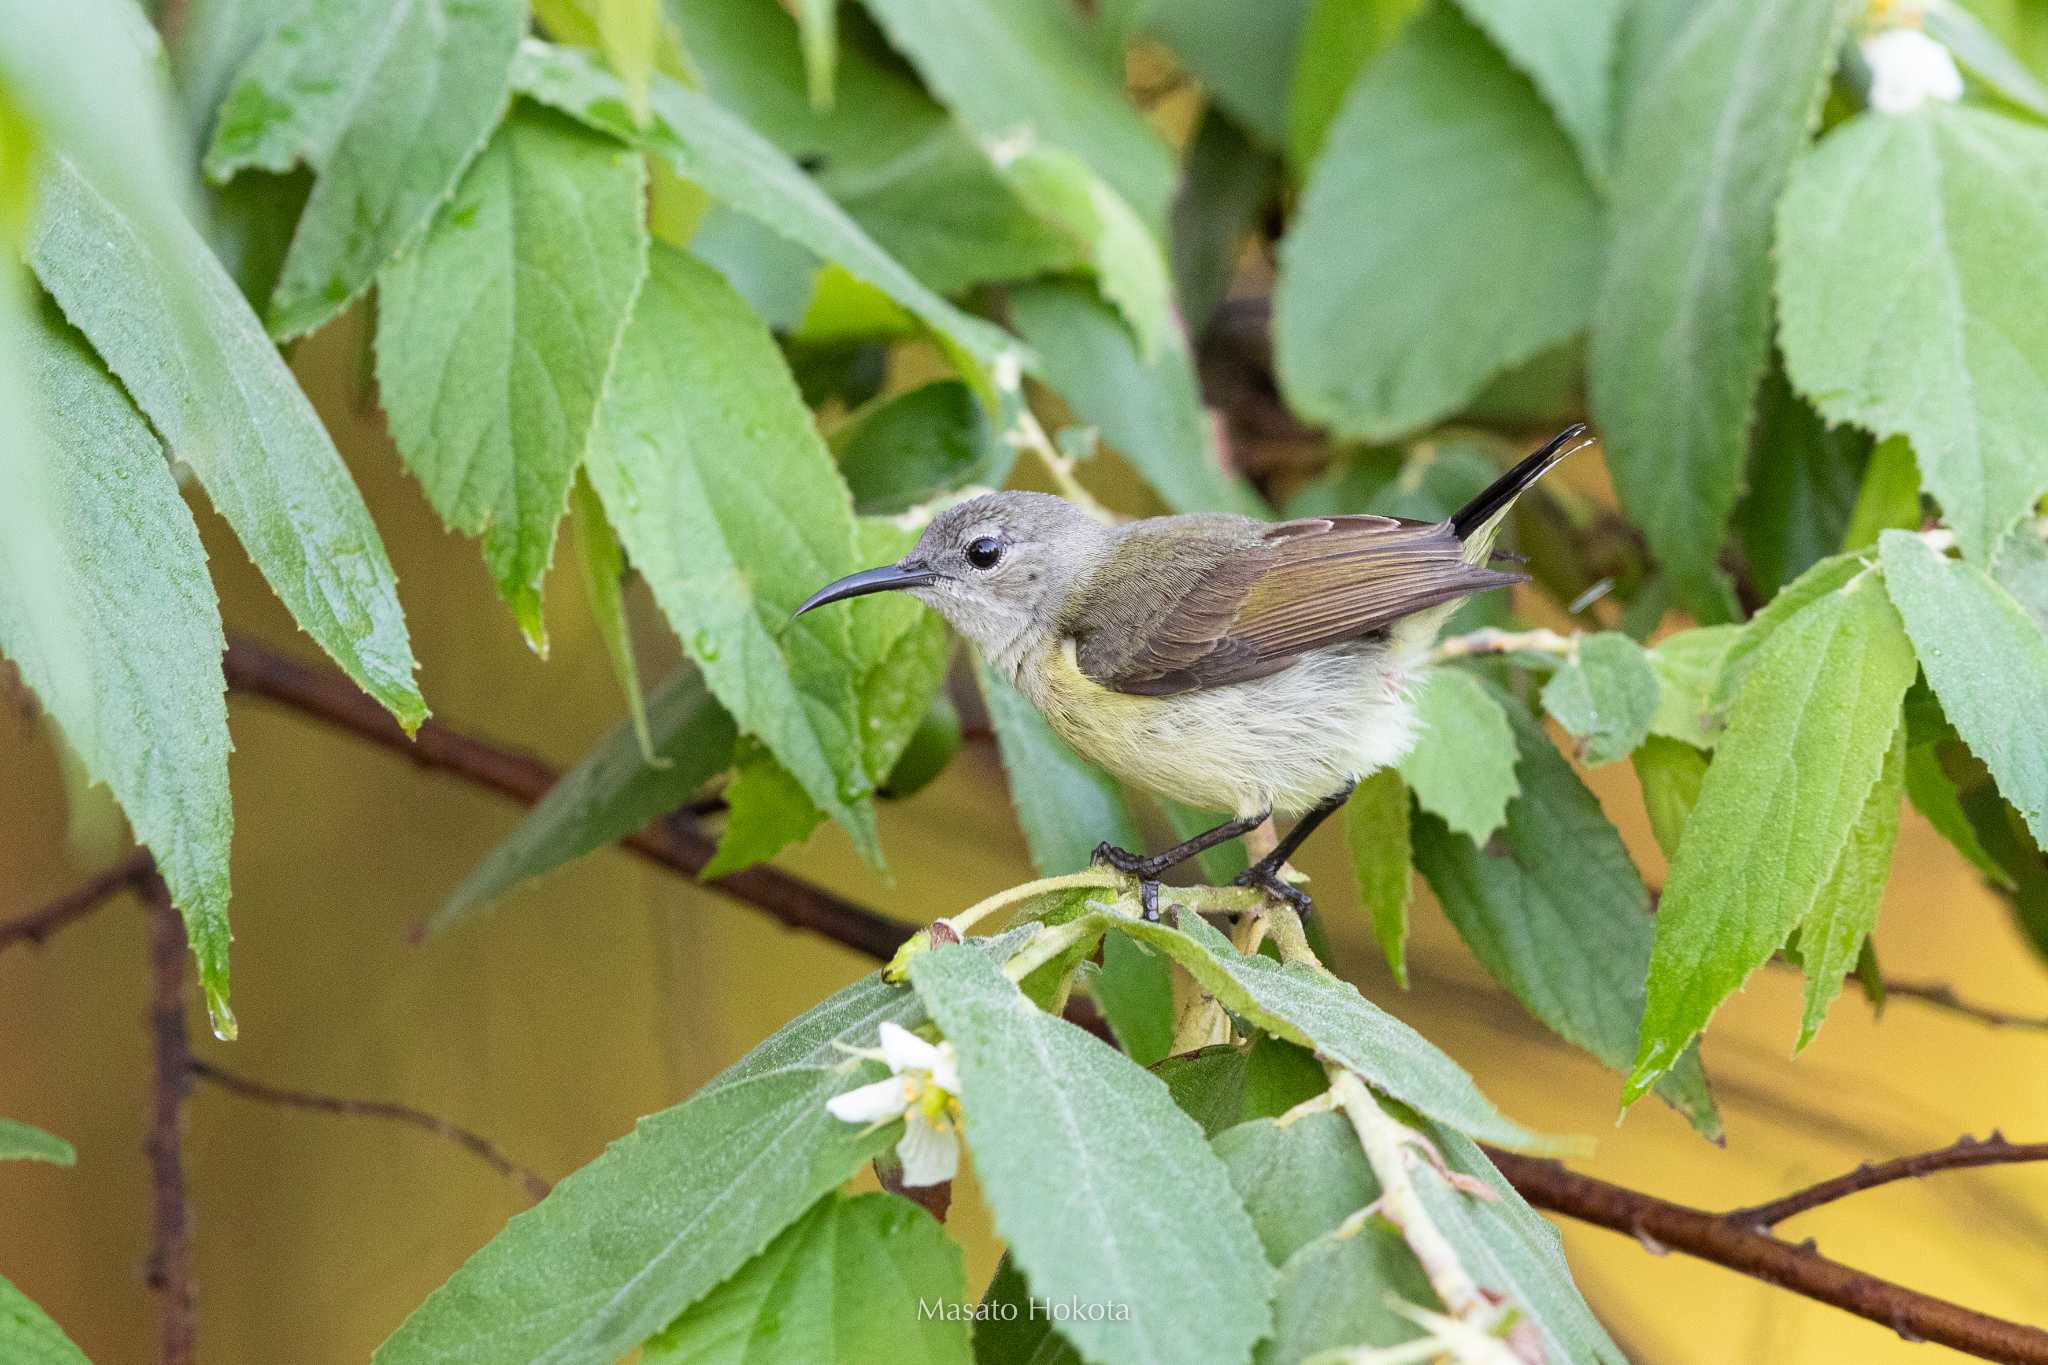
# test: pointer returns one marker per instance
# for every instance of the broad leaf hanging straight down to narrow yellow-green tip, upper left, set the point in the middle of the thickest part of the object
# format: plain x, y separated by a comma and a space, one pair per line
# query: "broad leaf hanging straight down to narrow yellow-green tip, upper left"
495, 337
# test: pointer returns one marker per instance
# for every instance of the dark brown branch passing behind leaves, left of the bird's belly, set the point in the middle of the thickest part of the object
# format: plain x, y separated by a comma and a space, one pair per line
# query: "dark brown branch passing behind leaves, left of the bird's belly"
677, 844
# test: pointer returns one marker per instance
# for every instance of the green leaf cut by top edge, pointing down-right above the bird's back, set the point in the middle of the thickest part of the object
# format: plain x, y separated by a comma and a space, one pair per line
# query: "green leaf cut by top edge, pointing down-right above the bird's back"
1017, 67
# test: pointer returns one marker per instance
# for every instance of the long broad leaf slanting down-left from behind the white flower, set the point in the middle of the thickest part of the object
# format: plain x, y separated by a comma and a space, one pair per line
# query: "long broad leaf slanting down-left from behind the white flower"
673, 1210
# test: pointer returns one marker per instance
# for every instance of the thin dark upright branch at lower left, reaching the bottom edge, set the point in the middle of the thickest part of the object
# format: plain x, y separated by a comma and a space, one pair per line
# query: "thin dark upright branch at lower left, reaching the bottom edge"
171, 1256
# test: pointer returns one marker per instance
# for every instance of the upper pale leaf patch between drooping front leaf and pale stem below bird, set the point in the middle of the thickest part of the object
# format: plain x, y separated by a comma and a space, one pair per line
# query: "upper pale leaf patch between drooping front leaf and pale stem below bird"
1297, 1180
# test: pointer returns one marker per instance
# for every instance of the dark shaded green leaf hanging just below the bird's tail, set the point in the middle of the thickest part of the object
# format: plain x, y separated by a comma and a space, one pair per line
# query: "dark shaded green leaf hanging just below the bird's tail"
1562, 918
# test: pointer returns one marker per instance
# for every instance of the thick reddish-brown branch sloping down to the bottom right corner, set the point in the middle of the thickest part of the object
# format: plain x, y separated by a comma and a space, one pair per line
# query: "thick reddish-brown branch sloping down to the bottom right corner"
1662, 1225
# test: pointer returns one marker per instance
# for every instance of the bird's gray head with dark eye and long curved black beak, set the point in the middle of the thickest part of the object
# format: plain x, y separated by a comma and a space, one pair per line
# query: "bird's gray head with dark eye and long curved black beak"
998, 568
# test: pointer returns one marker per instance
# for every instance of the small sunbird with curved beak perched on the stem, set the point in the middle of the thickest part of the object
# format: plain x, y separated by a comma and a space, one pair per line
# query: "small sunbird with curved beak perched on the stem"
1218, 660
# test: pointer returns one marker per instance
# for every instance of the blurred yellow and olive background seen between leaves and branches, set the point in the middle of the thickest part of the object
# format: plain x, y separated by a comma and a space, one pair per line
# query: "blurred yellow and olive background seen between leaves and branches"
611, 989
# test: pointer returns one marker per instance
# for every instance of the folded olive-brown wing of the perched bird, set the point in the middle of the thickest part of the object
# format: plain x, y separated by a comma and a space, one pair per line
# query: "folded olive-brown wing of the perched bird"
1295, 588
